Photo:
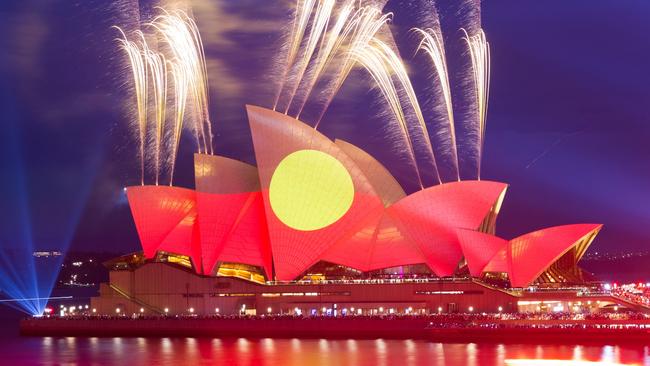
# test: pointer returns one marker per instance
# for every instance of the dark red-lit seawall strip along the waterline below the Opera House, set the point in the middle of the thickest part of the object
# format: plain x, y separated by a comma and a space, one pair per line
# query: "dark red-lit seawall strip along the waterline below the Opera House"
339, 328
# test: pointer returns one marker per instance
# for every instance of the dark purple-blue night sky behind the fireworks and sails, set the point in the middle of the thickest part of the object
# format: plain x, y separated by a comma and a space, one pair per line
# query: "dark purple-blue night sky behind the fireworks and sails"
568, 124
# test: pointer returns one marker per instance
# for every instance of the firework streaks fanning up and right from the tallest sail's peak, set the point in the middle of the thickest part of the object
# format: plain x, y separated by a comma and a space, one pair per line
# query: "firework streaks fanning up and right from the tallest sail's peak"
323, 47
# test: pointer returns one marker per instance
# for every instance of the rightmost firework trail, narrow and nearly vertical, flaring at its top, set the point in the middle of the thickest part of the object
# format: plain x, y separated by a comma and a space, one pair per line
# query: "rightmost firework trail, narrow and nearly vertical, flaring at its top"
479, 50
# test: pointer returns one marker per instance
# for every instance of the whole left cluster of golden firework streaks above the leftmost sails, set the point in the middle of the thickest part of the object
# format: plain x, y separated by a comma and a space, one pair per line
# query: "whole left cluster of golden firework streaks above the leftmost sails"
151, 71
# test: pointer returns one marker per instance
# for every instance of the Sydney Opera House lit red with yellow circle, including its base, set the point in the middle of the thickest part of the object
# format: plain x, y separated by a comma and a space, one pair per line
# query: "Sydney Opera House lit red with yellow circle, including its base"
321, 227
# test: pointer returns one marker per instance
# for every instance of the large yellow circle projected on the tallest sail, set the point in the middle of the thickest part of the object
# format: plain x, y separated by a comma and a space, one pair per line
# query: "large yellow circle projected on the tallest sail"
310, 190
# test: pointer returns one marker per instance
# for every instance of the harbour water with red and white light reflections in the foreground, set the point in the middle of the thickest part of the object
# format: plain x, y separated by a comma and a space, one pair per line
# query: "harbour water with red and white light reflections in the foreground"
270, 352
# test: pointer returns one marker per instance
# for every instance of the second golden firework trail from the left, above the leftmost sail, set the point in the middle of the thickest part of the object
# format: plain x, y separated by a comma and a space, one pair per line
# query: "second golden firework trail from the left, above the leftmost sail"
158, 70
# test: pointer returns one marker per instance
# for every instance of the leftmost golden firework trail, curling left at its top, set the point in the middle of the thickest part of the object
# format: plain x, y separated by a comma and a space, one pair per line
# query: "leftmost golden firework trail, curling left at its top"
139, 70
